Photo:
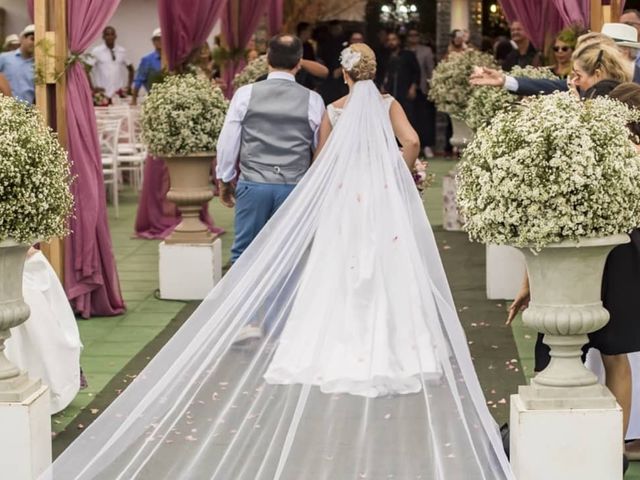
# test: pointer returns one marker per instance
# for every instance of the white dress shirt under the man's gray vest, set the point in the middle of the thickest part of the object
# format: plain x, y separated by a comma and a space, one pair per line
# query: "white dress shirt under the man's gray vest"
230, 138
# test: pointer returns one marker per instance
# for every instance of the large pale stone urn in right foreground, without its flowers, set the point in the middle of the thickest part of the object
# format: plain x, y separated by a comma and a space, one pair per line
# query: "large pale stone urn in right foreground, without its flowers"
565, 281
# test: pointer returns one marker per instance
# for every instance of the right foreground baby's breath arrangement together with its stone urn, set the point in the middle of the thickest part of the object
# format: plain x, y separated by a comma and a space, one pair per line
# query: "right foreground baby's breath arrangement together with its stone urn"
559, 178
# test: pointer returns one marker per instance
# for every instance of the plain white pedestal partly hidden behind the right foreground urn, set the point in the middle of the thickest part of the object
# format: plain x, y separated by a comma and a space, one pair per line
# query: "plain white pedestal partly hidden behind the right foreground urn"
505, 271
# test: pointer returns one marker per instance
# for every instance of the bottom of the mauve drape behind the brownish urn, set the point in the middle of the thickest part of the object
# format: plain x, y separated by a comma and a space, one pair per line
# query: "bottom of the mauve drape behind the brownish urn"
157, 217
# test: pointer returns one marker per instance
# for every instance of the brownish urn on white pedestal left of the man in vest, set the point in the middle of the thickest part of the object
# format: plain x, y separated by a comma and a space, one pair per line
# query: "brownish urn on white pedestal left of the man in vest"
190, 189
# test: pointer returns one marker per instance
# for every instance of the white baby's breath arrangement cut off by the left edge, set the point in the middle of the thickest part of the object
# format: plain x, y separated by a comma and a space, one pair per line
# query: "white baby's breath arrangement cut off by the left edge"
35, 200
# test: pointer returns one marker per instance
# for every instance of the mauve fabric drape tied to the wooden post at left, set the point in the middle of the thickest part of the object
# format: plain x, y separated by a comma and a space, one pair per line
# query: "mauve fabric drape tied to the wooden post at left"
91, 278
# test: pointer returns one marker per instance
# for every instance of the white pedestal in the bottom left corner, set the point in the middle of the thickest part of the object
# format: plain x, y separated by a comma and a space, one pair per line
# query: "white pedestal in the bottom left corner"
25, 443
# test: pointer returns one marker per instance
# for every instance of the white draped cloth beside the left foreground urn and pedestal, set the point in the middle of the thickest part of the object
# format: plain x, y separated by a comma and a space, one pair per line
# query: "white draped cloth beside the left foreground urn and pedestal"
48, 344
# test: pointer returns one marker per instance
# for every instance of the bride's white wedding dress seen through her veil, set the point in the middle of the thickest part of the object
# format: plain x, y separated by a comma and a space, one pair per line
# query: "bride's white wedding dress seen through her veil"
357, 322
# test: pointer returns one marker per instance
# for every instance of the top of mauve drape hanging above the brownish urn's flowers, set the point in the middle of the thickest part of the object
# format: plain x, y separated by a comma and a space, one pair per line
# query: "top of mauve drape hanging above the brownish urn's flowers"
185, 25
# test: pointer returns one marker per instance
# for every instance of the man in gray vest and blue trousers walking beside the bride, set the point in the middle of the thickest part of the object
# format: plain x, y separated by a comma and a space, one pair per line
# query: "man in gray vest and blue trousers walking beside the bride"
272, 128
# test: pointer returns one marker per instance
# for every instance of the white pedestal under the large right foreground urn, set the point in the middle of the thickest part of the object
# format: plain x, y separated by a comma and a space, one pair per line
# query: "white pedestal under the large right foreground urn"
563, 444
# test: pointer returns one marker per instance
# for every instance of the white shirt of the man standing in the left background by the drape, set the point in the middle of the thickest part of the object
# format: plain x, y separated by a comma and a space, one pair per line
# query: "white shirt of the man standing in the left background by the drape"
109, 68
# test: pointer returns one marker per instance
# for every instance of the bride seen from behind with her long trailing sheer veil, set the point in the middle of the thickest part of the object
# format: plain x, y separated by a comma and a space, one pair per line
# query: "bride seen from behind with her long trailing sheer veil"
361, 370
